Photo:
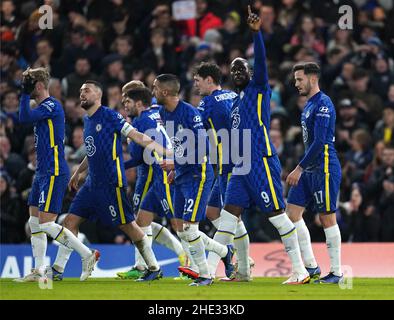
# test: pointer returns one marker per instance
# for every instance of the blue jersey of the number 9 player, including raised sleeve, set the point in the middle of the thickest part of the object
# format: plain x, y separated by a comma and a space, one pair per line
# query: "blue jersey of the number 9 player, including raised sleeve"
251, 108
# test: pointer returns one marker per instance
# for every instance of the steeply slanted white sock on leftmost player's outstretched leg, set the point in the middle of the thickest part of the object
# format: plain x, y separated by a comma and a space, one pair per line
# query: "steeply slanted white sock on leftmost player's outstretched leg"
65, 237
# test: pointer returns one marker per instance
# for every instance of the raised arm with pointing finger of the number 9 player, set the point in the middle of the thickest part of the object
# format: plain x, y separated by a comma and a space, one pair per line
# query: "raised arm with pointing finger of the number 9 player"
260, 74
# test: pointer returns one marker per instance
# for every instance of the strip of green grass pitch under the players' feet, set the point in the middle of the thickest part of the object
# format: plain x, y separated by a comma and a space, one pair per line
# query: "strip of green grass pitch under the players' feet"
169, 289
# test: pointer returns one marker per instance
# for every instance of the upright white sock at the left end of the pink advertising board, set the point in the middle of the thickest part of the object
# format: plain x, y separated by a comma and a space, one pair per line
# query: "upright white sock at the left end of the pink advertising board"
241, 245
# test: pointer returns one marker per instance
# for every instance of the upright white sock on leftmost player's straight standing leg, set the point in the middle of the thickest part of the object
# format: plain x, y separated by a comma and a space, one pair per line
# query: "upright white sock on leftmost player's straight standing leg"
38, 241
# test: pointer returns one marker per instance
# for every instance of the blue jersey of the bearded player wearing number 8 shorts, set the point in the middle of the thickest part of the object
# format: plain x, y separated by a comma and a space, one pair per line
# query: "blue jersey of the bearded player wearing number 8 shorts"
103, 142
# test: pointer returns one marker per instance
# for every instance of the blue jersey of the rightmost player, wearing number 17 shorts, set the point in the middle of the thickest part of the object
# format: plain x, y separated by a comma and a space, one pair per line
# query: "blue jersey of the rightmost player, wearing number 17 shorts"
318, 131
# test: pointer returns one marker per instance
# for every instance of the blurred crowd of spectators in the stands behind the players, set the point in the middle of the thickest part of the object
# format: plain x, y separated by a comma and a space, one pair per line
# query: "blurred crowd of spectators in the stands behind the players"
115, 41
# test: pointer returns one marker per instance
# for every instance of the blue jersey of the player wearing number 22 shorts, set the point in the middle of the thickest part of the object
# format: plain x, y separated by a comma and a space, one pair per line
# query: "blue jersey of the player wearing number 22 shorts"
189, 160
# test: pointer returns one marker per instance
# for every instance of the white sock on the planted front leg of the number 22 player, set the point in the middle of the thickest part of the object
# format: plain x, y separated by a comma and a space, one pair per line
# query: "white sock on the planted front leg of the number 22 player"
197, 249
